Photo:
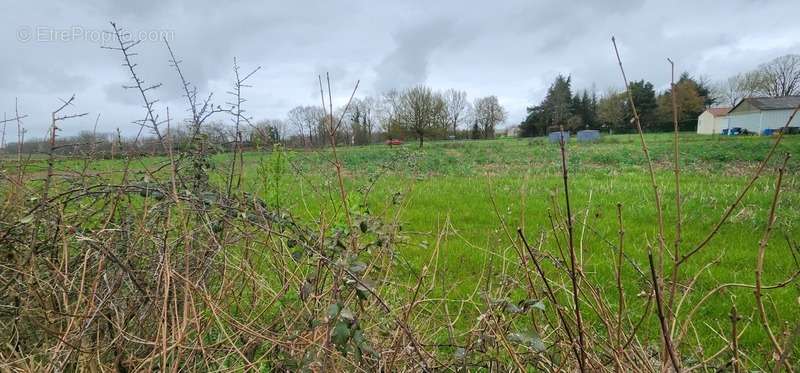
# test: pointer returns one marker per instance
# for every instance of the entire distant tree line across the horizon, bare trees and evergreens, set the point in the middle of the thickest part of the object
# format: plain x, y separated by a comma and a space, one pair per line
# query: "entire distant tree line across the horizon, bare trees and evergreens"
421, 113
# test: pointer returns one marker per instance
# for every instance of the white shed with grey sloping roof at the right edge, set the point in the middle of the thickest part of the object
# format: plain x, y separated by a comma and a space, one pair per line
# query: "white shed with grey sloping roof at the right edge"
756, 114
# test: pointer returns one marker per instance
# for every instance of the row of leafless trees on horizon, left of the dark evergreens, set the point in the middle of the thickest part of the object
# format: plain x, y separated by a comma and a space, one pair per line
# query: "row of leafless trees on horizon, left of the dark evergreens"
417, 113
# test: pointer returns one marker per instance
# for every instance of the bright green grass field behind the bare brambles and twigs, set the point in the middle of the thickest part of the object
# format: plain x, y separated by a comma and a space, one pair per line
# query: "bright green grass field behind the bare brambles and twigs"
476, 193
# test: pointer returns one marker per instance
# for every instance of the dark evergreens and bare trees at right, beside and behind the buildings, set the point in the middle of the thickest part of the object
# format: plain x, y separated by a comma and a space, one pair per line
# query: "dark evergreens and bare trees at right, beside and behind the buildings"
610, 111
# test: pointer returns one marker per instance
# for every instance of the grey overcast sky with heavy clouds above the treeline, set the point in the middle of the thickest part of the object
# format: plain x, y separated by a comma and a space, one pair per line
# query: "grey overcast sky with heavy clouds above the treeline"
512, 49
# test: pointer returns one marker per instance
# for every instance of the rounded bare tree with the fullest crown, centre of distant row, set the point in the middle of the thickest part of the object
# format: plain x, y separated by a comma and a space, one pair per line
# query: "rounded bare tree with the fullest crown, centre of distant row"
421, 111
